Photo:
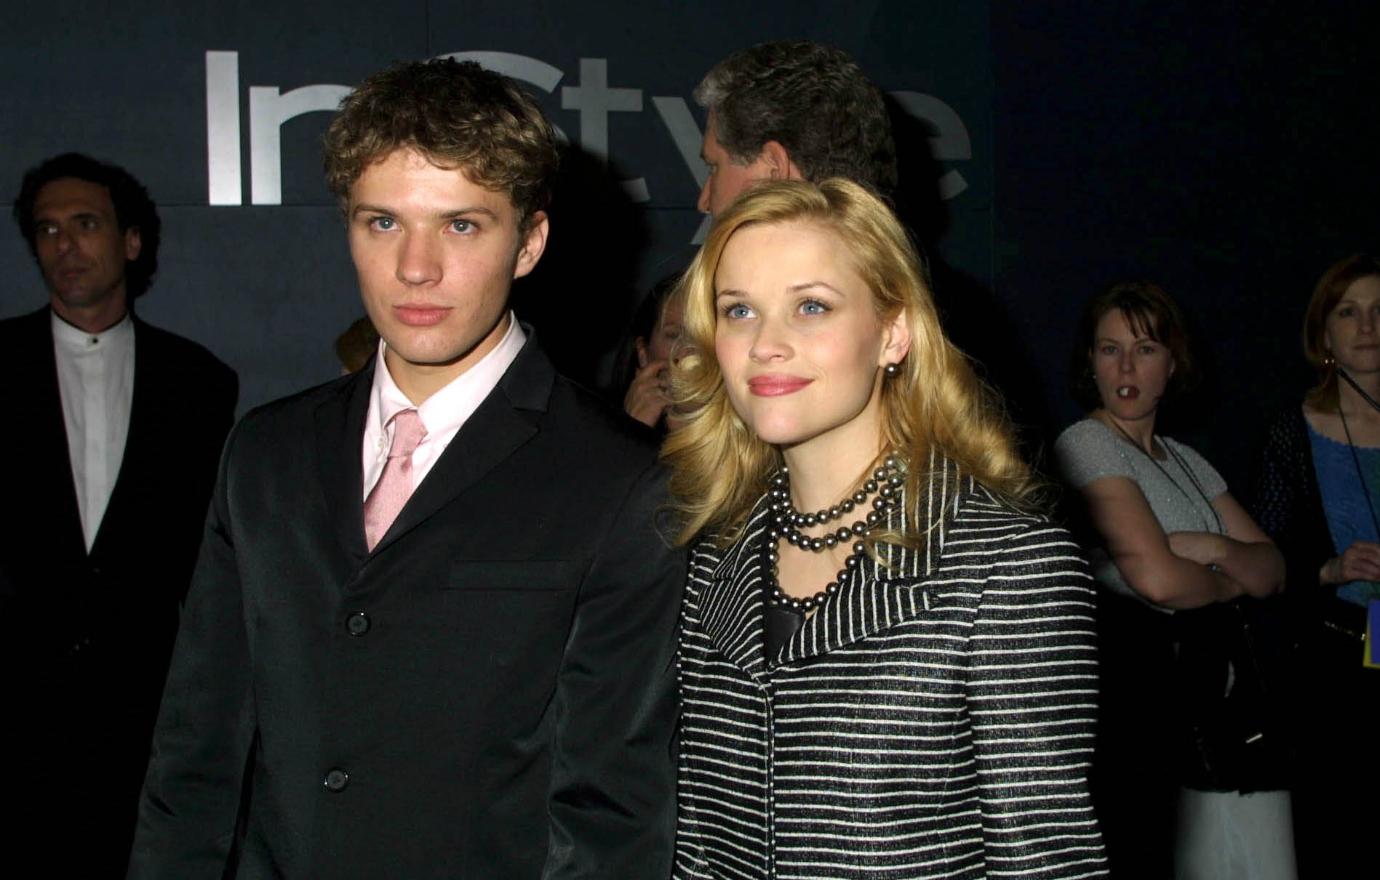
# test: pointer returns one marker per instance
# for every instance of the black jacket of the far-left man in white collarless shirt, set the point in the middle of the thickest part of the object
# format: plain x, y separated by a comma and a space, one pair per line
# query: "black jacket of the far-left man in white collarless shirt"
89, 635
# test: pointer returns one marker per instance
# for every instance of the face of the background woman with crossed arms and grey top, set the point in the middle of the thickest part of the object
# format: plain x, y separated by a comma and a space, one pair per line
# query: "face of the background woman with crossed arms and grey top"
1131, 369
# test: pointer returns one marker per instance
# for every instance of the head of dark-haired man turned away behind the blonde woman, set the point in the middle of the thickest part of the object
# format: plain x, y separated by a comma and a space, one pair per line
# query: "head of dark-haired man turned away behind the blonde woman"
793, 110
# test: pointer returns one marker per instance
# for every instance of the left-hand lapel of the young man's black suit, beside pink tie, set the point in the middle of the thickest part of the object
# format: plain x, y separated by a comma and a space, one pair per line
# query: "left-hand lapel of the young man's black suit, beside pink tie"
340, 434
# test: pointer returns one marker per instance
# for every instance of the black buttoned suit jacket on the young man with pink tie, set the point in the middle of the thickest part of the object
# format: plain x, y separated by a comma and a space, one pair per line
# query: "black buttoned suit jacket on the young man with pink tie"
488, 694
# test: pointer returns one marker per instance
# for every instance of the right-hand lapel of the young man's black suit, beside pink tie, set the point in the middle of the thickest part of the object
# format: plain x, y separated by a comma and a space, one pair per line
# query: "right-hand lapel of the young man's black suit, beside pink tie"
497, 430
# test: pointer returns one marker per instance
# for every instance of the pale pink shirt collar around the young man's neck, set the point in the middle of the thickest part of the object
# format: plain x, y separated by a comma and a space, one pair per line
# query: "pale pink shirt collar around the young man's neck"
449, 408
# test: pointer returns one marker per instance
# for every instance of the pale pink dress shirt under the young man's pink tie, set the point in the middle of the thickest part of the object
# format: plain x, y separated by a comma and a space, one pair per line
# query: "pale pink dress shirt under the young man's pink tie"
442, 414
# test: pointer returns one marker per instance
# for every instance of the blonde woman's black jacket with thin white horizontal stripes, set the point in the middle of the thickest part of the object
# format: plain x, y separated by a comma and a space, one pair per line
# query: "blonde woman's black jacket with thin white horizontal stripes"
934, 719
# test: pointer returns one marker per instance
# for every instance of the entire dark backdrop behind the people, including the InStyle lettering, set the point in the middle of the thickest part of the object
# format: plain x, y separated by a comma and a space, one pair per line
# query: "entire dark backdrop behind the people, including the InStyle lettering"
1048, 151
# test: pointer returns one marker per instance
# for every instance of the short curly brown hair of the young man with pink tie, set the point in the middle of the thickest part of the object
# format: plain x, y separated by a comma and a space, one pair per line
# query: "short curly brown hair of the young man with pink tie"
456, 114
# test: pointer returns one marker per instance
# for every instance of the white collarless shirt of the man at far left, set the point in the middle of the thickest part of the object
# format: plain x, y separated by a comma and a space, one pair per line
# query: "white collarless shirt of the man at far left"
96, 381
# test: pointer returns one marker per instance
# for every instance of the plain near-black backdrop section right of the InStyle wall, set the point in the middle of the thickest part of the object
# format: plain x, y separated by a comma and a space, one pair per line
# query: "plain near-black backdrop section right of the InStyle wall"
1223, 150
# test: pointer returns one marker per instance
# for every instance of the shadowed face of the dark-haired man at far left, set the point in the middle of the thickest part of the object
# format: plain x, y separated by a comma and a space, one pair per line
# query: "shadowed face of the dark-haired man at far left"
81, 248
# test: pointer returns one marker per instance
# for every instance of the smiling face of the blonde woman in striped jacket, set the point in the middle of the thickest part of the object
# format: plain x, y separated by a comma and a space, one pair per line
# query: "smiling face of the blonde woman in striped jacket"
798, 339
